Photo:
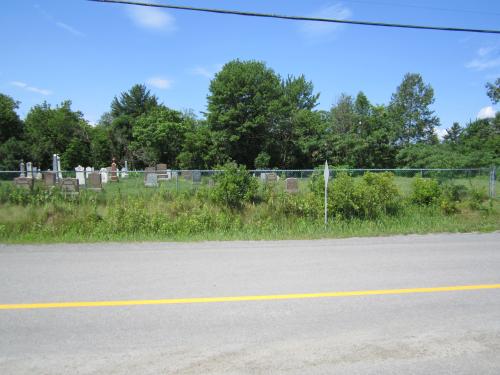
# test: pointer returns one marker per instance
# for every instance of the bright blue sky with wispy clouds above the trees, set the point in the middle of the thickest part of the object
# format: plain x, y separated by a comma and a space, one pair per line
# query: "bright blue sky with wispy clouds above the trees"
89, 52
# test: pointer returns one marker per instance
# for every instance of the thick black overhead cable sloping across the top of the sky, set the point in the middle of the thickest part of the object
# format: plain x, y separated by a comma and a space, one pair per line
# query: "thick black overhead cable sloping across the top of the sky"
300, 18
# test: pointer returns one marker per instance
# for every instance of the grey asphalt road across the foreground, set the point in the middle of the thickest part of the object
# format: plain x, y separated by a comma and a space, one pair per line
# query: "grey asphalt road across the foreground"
450, 332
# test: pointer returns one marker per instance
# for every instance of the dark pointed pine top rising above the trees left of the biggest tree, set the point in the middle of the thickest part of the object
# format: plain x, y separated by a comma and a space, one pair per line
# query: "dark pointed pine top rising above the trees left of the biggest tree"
135, 102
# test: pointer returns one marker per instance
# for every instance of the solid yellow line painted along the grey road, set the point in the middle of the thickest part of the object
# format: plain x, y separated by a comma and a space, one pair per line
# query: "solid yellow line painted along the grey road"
177, 301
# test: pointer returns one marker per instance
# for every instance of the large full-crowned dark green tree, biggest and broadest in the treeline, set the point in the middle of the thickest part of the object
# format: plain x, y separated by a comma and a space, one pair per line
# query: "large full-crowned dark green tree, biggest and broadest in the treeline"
240, 100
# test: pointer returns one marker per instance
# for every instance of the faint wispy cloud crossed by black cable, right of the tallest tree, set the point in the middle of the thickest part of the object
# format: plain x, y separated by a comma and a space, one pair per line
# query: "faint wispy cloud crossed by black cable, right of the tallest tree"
313, 29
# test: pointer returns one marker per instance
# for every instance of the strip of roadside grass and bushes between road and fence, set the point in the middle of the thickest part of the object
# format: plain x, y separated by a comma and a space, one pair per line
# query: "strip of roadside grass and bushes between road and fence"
238, 206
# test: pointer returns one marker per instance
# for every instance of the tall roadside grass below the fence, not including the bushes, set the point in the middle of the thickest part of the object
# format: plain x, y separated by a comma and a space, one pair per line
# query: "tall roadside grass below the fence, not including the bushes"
180, 212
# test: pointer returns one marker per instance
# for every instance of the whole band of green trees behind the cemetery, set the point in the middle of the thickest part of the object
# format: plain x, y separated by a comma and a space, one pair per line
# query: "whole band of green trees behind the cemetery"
258, 119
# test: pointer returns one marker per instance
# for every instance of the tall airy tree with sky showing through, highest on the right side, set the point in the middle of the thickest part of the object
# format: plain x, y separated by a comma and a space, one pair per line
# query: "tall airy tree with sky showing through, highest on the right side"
410, 107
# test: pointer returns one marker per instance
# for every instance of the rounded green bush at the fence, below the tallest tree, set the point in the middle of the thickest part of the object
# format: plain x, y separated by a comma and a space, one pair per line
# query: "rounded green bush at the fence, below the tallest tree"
234, 186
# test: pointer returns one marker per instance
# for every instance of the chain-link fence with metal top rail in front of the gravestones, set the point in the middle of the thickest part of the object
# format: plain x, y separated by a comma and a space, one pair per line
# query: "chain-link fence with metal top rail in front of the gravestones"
139, 181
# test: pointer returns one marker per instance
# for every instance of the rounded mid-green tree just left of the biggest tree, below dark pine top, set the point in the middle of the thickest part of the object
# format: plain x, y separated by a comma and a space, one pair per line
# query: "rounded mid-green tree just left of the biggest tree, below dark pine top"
158, 136
